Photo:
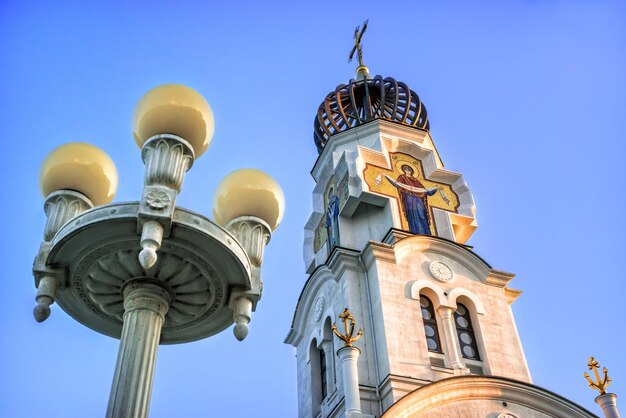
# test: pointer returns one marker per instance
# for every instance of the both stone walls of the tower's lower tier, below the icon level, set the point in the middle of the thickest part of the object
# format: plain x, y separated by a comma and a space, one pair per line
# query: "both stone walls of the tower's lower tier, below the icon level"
384, 299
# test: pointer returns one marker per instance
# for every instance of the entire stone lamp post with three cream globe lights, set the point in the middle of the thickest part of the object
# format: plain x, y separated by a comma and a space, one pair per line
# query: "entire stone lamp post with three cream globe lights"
150, 272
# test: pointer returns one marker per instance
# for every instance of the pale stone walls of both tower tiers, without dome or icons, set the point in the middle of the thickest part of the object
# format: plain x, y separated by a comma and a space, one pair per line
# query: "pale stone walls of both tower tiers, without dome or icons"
379, 273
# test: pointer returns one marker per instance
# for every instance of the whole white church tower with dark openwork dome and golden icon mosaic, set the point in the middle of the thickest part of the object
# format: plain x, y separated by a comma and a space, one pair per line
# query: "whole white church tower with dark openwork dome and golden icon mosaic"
386, 239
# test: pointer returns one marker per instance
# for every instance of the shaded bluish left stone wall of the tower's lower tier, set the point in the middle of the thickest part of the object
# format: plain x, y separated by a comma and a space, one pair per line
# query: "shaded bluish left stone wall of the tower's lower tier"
341, 285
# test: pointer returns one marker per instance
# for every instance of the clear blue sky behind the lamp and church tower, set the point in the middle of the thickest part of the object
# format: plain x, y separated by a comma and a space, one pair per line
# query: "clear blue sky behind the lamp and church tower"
526, 98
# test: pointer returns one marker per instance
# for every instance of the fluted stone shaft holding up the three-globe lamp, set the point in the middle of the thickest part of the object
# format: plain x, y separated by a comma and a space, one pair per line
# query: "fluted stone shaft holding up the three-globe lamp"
145, 304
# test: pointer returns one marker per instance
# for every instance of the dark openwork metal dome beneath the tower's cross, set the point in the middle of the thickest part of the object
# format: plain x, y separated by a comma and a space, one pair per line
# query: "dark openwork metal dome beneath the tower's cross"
363, 100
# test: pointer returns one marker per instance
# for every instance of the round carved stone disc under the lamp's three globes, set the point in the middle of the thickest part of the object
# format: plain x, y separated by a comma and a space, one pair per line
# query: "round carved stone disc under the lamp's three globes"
198, 266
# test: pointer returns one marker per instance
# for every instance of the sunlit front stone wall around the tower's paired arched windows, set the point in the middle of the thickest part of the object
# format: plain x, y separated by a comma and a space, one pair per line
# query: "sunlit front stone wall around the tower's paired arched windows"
399, 273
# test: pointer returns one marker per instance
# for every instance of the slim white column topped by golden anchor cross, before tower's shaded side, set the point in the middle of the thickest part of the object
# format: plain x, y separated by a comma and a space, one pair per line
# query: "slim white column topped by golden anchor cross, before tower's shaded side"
348, 356
